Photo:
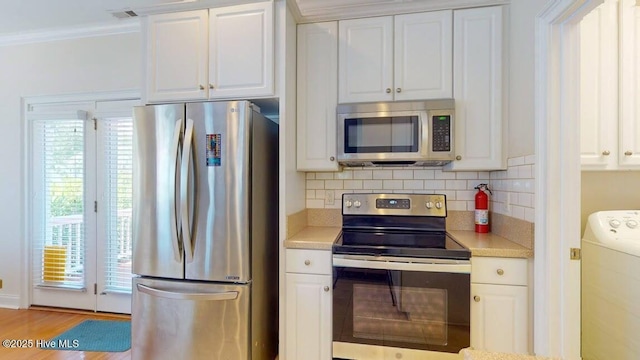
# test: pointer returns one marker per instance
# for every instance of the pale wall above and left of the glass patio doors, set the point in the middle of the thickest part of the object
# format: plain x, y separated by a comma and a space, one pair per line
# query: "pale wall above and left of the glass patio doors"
108, 63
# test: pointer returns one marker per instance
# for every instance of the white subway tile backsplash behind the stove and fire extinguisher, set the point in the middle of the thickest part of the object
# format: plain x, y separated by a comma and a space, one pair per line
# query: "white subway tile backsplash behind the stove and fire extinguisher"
513, 189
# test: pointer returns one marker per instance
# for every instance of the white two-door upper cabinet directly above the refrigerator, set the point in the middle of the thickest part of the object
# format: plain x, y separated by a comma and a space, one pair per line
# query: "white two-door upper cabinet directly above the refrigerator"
218, 53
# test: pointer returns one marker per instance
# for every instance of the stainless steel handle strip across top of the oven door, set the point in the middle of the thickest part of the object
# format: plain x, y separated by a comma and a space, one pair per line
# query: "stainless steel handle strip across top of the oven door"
455, 266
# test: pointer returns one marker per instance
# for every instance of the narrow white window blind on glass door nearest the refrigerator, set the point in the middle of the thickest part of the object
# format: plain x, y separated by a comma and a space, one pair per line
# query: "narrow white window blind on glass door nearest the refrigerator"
115, 161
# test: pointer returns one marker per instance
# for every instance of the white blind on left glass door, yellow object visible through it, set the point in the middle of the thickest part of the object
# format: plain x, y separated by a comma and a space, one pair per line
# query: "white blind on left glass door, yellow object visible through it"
58, 178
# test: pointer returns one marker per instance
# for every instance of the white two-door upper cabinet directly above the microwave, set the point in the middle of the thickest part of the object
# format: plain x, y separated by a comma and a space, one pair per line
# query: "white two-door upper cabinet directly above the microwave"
403, 57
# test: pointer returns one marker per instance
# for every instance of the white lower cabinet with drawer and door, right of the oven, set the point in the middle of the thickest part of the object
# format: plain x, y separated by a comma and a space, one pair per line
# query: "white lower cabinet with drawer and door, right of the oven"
499, 305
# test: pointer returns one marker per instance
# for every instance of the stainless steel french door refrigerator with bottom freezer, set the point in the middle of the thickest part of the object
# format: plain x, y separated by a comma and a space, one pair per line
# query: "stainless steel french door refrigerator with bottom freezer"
205, 232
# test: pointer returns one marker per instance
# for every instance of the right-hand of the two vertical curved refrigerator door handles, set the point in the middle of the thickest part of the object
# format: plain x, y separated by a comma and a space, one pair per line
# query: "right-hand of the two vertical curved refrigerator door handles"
184, 191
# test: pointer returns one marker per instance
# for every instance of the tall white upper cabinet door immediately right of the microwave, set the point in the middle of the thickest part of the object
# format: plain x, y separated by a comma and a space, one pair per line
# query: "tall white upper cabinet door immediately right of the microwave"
477, 89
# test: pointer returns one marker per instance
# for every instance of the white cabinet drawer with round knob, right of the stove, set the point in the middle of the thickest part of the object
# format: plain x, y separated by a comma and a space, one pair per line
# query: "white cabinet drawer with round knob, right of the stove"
508, 271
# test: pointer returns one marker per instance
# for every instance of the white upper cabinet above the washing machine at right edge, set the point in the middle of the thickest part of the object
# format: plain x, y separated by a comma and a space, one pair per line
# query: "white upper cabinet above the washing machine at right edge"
610, 87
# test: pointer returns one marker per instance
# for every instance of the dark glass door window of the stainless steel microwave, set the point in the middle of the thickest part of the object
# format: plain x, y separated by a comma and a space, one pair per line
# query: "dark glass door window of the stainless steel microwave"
382, 134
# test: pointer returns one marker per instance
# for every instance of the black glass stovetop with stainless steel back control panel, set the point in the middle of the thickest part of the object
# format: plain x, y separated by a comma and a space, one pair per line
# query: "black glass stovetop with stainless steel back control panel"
407, 225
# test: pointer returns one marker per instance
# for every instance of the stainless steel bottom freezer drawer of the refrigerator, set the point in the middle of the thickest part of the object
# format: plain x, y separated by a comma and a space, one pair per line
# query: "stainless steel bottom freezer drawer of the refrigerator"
189, 320
